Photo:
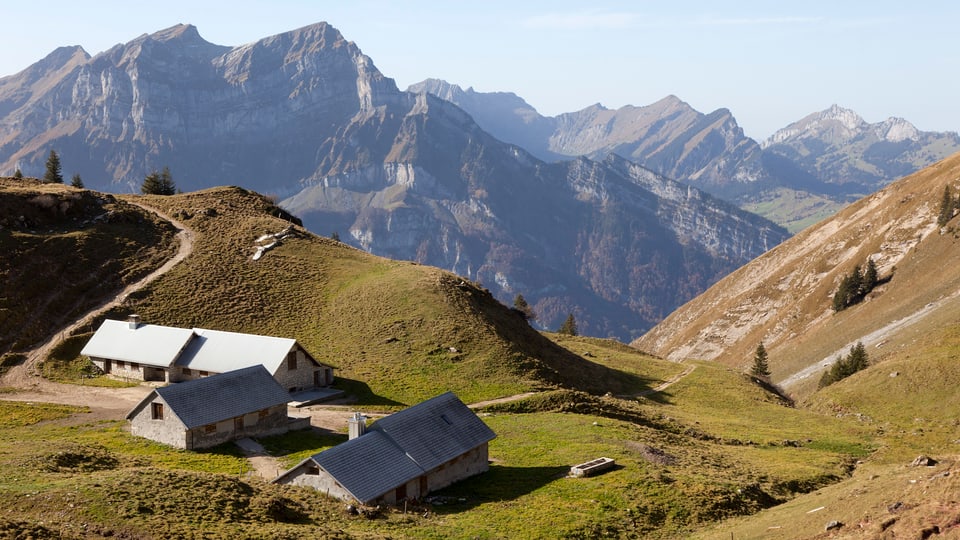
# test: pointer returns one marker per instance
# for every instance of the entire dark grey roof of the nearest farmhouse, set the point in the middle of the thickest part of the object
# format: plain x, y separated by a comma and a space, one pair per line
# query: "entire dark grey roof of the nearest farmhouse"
405, 445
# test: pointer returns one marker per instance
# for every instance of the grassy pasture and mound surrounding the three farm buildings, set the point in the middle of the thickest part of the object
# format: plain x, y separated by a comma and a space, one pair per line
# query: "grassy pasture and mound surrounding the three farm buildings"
713, 445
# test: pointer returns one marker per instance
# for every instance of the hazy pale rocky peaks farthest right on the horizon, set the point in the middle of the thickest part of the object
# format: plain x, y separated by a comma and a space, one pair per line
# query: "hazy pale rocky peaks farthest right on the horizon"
838, 147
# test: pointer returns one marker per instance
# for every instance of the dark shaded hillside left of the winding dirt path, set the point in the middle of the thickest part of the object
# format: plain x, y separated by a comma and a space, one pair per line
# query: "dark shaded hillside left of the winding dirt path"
64, 250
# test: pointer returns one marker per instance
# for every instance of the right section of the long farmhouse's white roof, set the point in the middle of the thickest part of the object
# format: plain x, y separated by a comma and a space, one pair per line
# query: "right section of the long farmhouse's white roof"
219, 352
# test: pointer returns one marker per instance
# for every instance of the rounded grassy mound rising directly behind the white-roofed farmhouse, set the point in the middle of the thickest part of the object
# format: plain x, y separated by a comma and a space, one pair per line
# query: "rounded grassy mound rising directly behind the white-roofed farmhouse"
397, 332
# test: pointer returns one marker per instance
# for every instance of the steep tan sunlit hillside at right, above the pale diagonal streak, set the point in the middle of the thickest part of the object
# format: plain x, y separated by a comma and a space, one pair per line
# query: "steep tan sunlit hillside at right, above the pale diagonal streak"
783, 298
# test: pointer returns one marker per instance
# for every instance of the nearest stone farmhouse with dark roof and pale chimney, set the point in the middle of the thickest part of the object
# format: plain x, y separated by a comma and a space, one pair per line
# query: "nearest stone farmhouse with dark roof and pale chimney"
402, 456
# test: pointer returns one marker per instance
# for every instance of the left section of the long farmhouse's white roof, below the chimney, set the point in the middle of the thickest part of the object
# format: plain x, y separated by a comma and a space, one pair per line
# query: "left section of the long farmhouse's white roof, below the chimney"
149, 344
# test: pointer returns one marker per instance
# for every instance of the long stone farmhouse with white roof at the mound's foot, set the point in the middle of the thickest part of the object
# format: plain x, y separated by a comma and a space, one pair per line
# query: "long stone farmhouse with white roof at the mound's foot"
150, 352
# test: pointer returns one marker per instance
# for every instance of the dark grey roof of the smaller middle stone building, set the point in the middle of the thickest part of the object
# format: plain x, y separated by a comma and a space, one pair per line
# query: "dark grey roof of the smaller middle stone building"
221, 397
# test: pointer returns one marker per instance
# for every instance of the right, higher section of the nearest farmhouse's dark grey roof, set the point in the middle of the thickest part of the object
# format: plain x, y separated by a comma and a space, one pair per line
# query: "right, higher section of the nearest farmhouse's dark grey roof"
435, 431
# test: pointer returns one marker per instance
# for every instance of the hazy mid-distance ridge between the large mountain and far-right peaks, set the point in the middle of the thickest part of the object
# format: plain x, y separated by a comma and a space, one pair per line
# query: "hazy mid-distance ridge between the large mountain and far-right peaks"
669, 137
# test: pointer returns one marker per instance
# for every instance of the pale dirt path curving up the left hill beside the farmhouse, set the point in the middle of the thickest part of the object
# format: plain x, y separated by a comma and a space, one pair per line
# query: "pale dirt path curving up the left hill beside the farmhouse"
106, 402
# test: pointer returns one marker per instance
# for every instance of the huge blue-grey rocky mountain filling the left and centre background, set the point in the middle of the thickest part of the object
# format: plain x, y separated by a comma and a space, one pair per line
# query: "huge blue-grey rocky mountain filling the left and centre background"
307, 118
